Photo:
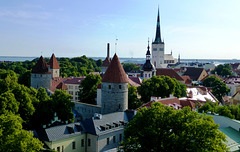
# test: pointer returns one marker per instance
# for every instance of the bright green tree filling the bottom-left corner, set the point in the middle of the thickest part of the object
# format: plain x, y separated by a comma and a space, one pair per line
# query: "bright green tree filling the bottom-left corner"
13, 138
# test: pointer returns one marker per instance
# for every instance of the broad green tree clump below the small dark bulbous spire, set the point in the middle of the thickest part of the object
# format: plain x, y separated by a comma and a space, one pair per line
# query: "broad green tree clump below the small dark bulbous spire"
161, 86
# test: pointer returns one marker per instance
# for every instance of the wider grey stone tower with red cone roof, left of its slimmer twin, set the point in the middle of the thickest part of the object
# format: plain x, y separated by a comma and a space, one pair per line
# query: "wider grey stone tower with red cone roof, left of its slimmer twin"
41, 75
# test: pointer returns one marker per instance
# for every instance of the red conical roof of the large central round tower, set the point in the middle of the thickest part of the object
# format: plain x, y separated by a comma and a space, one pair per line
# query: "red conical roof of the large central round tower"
115, 72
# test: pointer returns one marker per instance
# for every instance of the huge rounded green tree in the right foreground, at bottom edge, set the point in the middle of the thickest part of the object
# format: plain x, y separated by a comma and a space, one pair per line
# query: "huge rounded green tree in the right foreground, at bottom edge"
161, 128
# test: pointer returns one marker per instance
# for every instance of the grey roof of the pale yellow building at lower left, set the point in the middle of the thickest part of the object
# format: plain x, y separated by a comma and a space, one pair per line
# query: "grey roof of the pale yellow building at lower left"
60, 132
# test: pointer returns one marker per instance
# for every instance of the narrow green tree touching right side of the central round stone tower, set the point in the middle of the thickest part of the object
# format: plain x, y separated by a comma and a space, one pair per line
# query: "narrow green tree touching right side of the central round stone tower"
133, 101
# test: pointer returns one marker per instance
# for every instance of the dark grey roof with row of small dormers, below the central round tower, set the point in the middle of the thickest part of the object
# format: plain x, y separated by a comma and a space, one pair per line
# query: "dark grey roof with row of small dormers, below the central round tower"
96, 126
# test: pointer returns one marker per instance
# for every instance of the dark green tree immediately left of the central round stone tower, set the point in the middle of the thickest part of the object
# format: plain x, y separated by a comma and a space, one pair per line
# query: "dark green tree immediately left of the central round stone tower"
88, 88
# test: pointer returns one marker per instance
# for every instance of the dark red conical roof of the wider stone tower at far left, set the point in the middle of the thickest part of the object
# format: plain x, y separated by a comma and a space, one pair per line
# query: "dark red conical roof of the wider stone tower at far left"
41, 67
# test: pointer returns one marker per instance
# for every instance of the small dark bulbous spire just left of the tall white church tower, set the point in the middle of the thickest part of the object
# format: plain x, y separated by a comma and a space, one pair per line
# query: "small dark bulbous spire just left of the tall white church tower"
148, 69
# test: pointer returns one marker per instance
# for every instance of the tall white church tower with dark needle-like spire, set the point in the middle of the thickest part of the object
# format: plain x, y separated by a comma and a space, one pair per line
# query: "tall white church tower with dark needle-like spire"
158, 47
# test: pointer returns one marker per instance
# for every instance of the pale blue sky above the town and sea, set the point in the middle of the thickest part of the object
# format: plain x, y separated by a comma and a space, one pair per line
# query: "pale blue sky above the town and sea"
195, 29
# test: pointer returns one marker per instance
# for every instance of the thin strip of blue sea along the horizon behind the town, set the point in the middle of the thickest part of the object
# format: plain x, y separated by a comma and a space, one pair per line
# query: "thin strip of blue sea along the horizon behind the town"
126, 60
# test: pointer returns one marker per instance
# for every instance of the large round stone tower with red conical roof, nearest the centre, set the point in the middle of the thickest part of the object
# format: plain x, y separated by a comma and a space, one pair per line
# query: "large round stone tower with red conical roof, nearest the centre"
114, 88
